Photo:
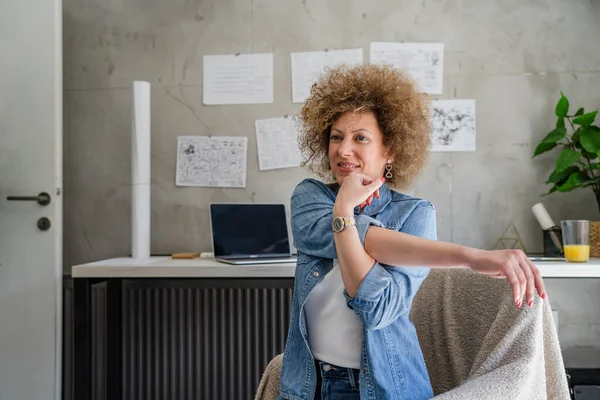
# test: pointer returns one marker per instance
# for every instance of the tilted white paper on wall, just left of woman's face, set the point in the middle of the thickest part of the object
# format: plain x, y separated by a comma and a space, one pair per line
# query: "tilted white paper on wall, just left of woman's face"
277, 143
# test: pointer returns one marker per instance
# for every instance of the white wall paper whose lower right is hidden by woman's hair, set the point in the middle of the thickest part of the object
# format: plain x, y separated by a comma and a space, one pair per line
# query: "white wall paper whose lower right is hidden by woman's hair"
308, 66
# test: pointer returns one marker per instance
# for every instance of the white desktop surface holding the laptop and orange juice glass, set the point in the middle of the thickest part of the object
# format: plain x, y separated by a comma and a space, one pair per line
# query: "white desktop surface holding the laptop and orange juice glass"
166, 267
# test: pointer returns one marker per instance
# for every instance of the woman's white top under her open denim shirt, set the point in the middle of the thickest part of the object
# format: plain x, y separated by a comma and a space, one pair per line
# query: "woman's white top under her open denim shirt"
334, 331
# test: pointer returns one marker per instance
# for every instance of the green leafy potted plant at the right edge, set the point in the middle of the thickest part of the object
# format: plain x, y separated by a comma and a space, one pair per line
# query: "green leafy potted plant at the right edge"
578, 164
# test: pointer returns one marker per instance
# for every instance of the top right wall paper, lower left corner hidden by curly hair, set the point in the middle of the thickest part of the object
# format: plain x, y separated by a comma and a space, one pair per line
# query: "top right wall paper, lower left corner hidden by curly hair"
424, 62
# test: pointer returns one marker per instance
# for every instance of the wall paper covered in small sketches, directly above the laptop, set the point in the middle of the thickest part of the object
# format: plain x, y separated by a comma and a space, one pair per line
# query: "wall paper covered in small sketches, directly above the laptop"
211, 161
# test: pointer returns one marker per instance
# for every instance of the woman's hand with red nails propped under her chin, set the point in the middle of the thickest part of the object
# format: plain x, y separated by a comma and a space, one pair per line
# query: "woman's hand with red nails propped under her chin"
357, 189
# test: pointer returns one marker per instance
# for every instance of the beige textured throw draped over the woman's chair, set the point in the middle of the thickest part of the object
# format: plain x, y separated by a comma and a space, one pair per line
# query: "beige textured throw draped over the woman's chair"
477, 344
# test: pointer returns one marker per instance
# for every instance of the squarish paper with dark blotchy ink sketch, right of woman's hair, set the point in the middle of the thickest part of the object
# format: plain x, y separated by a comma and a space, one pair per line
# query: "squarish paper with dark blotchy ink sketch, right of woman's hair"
453, 123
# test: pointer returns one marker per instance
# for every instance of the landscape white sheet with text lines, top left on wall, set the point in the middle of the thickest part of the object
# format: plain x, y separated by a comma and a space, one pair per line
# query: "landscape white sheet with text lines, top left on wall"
238, 79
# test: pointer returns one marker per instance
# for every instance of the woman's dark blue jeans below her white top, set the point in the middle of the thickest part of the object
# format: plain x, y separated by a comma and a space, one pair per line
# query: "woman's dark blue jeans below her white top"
336, 383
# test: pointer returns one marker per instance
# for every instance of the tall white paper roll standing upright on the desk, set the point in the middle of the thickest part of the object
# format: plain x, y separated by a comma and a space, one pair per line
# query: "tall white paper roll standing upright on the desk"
140, 171
